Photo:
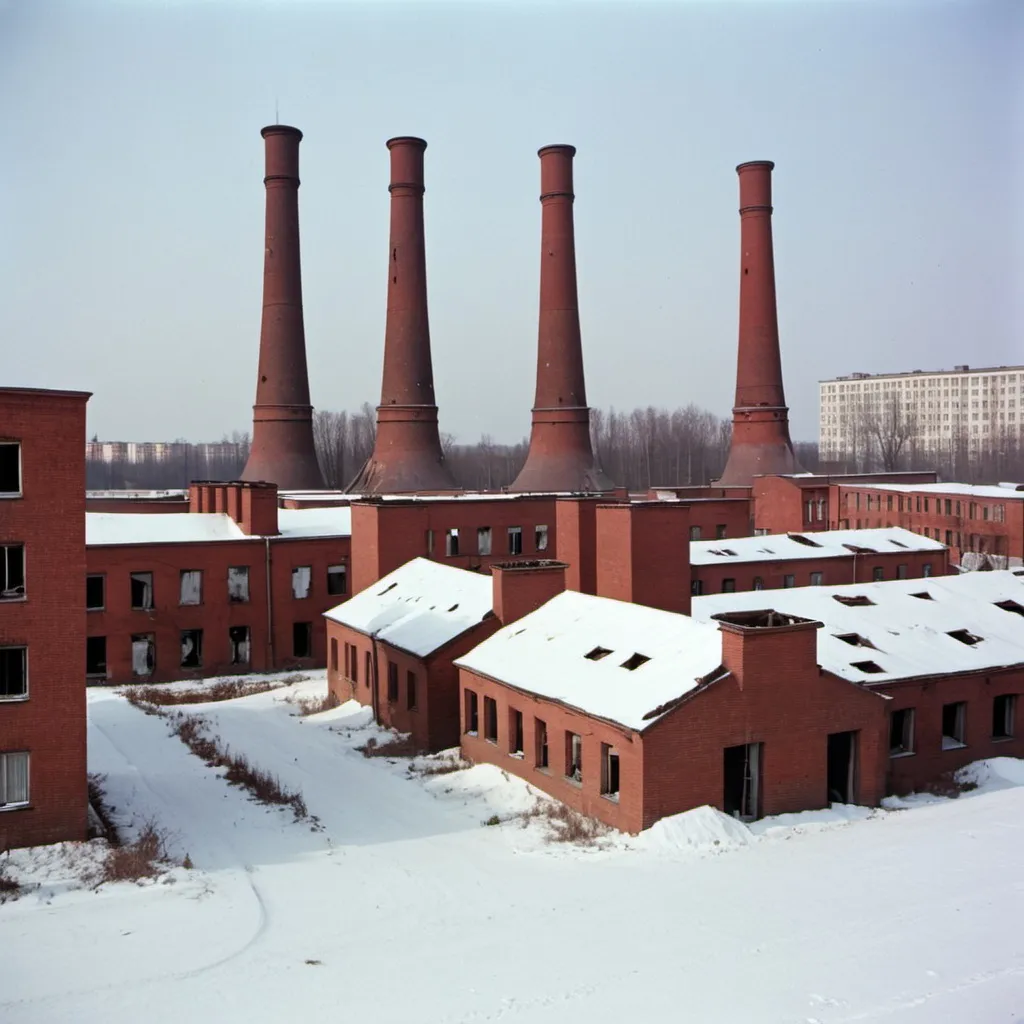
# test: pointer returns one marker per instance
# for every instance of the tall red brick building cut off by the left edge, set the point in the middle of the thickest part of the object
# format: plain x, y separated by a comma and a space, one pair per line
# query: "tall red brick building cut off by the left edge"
42, 617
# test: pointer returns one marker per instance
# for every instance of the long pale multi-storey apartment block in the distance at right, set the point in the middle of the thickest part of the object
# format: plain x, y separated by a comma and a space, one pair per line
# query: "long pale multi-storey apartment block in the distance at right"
972, 410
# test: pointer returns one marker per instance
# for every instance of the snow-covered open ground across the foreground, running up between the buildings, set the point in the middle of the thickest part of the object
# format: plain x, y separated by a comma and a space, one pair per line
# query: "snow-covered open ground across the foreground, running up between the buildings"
400, 905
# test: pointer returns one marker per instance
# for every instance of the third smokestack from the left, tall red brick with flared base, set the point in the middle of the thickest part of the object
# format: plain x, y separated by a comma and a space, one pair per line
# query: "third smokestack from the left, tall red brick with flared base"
561, 456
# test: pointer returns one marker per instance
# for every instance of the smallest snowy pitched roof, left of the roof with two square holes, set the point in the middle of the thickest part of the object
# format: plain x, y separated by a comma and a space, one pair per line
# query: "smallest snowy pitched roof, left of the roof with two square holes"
419, 608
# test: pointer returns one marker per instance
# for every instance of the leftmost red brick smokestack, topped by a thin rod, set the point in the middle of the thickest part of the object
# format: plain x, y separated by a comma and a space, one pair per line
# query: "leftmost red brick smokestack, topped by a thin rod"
282, 451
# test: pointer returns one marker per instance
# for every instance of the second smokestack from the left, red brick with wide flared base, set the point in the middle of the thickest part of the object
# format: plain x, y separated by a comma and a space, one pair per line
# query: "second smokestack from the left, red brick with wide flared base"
408, 455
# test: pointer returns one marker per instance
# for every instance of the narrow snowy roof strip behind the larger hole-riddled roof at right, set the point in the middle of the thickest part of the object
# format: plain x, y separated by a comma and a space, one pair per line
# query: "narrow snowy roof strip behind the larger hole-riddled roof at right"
829, 544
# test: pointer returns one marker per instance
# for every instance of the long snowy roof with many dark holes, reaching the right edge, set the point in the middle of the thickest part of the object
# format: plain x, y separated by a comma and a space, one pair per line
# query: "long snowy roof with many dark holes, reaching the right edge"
891, 632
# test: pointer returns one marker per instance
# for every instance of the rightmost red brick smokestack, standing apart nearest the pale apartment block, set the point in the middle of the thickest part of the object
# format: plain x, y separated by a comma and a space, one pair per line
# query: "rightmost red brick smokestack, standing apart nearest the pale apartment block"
760, 418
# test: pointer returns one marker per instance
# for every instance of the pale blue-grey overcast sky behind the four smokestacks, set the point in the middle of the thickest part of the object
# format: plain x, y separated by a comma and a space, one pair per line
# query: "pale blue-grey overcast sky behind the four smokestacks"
132, 196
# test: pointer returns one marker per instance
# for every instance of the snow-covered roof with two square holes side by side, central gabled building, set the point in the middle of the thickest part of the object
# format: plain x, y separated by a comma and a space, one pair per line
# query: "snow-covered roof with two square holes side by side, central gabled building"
586, 652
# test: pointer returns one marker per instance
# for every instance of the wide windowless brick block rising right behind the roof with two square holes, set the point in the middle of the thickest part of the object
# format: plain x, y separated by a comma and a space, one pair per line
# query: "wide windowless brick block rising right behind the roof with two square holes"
644, 554
